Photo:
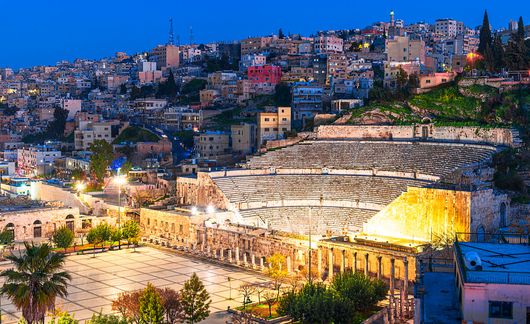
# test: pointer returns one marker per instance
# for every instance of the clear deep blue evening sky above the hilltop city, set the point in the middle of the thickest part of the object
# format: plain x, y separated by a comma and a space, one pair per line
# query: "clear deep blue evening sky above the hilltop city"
39, 32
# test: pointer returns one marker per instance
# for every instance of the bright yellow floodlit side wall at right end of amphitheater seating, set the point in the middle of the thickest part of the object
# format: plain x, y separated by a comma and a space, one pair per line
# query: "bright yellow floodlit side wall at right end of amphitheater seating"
422, 213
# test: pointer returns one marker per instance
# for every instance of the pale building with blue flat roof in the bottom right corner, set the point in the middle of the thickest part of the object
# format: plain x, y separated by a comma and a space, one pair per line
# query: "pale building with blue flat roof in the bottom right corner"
493, 281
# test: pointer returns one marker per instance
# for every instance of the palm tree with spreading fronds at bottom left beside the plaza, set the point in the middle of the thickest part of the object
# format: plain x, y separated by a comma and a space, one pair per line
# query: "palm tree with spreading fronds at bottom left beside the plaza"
35, 281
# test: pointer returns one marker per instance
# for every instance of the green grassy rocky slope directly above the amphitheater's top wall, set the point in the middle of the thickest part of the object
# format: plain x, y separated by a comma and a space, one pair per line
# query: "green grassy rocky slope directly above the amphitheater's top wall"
451, 104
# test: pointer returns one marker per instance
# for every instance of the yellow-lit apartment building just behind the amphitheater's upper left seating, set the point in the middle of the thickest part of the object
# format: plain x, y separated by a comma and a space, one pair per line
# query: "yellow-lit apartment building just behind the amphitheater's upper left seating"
273, 124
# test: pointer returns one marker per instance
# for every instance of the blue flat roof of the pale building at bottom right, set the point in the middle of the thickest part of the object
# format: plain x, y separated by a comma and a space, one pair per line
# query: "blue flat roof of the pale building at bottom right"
502, 263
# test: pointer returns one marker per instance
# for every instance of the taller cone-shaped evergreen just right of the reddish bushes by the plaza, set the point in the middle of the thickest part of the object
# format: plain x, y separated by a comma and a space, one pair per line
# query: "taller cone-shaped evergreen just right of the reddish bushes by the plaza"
195, 300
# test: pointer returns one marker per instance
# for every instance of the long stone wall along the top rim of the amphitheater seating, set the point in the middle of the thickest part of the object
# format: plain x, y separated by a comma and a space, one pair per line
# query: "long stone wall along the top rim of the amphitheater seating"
494, 136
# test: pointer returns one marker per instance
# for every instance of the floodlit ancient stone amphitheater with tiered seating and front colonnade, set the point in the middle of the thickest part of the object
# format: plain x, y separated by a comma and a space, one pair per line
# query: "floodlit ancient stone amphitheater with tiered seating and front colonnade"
372, 197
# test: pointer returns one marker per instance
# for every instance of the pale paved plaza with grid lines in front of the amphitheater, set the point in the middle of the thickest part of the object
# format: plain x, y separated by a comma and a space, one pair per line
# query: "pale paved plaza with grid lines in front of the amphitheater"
97, 281
